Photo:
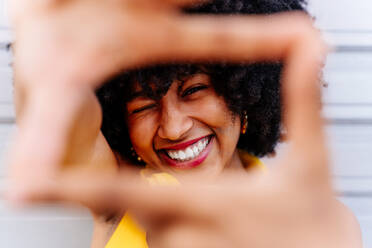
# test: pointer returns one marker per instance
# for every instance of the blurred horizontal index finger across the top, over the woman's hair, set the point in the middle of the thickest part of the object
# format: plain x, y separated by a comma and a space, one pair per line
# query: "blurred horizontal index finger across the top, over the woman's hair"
236, 38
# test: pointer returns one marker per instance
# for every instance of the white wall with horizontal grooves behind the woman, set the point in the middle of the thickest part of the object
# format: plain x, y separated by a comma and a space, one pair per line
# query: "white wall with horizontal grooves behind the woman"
348, 107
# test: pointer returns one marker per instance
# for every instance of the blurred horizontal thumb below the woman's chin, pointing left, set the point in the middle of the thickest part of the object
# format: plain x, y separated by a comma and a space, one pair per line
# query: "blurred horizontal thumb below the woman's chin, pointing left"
100, 192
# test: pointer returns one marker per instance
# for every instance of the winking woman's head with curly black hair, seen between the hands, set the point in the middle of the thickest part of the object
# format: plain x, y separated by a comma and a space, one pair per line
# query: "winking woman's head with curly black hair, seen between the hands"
196, 119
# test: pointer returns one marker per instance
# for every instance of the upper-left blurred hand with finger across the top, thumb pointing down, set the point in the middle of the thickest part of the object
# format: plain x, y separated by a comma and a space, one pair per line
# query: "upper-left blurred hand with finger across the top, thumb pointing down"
64, 49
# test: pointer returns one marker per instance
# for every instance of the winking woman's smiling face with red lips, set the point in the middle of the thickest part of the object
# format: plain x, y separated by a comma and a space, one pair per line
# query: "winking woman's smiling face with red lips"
190, 129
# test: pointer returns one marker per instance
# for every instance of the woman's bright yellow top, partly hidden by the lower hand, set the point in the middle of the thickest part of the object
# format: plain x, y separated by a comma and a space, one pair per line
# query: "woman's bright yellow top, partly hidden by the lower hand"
129, 234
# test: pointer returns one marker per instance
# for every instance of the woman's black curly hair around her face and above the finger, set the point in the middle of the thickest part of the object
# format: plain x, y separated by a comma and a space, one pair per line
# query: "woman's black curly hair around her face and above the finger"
250, 88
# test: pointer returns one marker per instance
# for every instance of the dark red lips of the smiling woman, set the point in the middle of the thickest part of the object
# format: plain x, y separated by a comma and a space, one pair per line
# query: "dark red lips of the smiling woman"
190, 163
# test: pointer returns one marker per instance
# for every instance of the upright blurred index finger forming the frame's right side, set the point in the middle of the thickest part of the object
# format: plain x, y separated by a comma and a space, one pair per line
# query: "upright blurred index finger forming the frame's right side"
301, 93
